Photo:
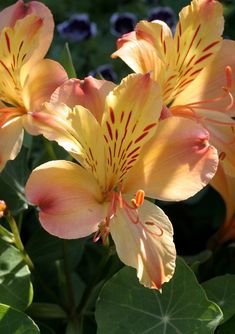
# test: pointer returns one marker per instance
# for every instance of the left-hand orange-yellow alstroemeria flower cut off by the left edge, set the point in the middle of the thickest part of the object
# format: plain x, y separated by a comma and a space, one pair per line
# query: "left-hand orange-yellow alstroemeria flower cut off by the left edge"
27, 79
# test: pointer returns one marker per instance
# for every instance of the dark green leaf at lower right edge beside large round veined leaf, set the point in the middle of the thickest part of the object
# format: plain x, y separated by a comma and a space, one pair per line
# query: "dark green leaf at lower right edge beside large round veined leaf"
221, 290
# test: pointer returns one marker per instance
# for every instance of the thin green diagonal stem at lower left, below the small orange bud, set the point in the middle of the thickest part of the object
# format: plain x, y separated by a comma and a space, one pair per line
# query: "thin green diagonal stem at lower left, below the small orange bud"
18, 242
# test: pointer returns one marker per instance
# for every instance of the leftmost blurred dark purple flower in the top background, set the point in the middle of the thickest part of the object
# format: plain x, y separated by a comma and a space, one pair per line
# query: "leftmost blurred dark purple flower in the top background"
77, 28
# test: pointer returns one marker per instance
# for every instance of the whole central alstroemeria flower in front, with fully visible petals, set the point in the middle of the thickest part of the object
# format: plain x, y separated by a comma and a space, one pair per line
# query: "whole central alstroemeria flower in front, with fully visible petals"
124, 155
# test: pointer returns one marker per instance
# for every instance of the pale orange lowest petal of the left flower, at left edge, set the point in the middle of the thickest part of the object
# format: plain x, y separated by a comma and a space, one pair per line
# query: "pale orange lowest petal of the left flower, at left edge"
11, 137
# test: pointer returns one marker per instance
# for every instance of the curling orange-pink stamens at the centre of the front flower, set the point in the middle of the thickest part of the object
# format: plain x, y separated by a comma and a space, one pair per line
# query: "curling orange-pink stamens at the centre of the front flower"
131, 212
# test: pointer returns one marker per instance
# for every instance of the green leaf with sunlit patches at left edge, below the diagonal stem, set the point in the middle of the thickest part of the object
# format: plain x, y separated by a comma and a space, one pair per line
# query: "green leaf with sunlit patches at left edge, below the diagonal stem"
15, 286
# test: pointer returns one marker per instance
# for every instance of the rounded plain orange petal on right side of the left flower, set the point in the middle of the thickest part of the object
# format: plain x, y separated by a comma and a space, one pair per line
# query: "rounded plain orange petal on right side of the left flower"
46, 76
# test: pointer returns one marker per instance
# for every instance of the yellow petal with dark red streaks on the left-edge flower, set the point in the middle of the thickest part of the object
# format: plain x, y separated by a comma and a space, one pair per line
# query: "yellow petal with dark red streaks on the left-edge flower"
16, 47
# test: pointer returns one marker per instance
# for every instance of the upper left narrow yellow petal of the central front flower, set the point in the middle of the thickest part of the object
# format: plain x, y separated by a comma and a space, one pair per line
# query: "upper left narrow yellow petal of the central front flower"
77, 131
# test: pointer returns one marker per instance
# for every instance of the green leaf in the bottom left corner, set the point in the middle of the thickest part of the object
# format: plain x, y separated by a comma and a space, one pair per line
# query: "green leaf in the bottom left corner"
15, 322
